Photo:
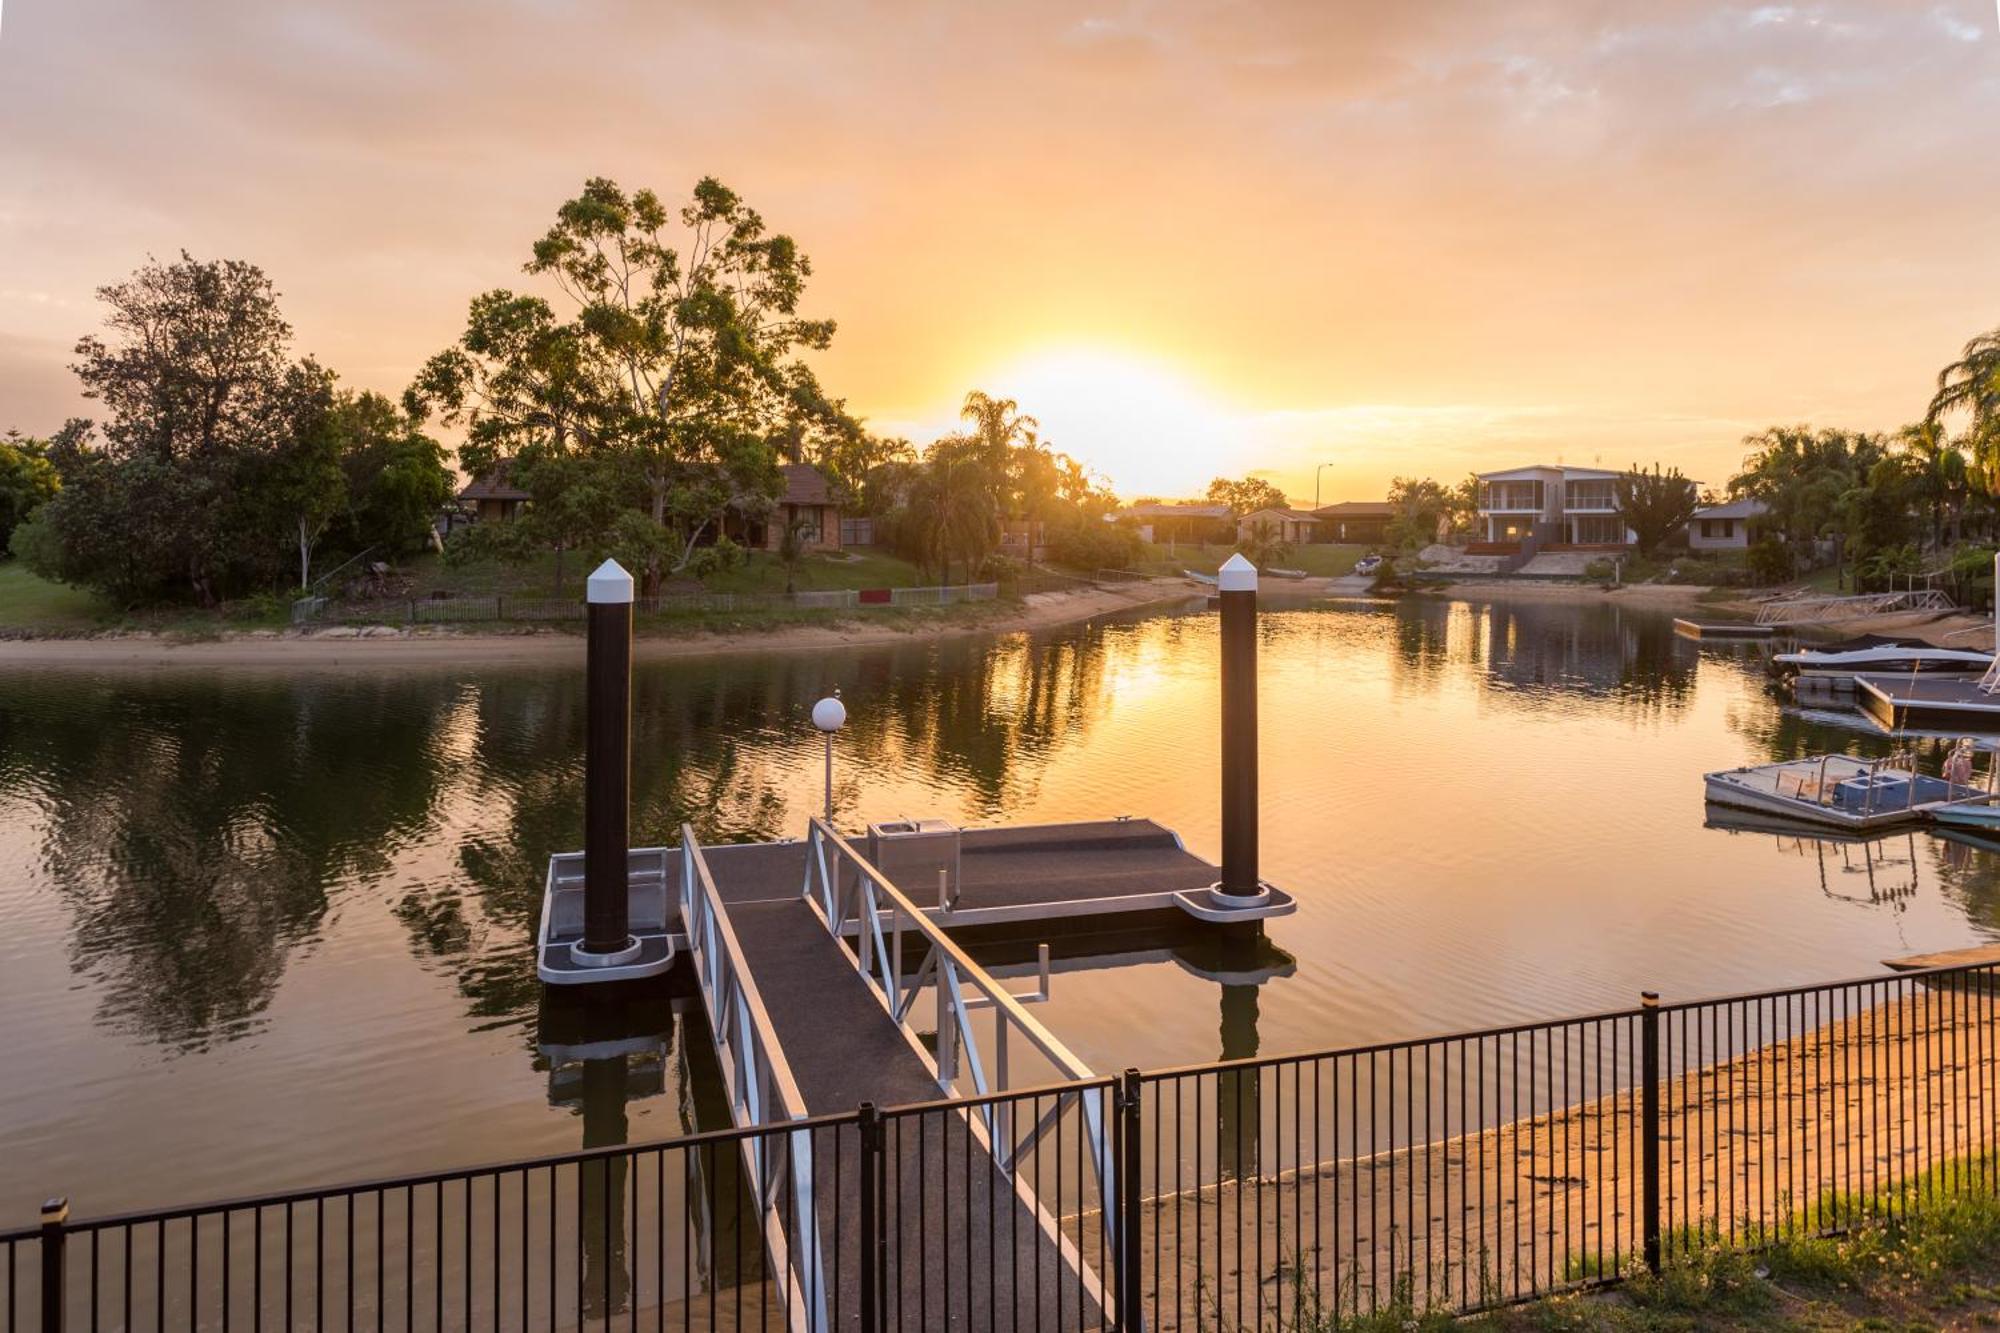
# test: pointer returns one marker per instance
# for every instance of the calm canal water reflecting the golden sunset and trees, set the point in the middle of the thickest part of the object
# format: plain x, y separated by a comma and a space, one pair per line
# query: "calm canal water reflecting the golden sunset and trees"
275, 930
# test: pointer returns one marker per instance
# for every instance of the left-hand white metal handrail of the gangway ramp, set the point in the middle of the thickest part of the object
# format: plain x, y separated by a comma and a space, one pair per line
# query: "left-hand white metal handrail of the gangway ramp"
761, 1090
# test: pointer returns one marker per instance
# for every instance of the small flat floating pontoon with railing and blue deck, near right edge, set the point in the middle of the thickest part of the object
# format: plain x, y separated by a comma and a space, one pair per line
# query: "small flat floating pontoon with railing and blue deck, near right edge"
1841, 792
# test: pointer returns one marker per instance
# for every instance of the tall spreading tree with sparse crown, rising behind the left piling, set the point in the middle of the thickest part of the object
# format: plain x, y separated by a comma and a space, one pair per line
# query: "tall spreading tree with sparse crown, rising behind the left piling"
679, 357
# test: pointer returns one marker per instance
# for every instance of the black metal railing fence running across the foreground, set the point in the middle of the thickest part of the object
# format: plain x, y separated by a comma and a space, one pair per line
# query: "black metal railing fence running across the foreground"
1441, 1174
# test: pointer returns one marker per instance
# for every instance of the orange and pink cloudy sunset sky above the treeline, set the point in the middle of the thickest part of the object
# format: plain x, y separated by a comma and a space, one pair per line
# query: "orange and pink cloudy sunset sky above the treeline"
1191, 237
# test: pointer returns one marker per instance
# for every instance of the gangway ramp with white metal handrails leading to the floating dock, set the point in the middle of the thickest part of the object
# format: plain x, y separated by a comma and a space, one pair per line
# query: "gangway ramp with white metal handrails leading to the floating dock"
805, 1028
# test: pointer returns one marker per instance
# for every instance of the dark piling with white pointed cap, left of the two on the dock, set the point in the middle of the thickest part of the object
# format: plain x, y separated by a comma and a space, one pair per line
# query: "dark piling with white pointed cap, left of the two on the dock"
607, 768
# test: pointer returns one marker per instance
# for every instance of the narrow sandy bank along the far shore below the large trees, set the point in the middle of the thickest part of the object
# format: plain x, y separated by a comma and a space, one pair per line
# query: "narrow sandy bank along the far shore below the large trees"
373, 647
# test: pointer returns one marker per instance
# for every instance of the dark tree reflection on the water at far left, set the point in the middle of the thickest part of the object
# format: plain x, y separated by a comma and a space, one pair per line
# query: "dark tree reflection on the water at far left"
197, 832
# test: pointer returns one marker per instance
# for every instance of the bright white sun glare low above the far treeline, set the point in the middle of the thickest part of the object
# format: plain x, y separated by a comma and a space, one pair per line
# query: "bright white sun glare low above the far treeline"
1141, 423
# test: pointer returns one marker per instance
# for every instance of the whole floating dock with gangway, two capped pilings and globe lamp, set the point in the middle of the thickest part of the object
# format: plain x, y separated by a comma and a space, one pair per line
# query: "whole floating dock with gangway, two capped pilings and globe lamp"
835, 978
